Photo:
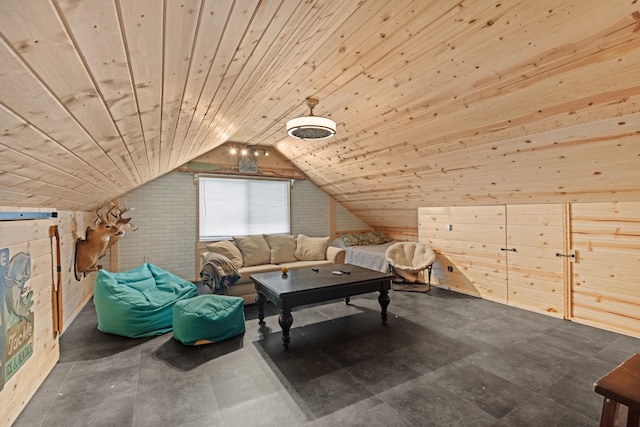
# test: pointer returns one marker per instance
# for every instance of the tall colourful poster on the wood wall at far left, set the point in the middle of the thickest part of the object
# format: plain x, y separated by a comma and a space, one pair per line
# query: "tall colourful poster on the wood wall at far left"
16, 317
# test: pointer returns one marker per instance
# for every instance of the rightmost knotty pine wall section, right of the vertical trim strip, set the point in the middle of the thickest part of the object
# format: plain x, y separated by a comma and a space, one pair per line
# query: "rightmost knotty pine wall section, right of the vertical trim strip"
606, 275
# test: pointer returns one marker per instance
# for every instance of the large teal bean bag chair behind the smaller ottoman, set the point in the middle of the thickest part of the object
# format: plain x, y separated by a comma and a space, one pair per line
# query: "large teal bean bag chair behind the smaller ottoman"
139, 302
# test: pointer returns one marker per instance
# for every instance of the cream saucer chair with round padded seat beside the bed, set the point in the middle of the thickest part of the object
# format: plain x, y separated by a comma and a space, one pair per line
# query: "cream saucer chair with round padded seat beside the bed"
408, 262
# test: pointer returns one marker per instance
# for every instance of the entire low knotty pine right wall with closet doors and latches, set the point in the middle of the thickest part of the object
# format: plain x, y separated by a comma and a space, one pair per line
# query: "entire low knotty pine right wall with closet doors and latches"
600, 288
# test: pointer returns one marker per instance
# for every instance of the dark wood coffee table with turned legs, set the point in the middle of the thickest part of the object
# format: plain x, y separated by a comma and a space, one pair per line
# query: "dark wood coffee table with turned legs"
302, 286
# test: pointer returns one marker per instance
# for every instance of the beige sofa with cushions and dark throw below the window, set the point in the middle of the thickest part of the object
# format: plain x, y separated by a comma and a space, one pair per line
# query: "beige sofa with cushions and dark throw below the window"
269, 252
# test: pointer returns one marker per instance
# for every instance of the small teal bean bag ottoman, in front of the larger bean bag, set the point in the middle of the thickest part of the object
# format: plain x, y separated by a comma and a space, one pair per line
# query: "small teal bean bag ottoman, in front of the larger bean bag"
208, 318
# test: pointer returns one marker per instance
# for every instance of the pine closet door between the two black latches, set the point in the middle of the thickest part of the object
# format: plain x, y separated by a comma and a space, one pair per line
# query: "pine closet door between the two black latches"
535, 274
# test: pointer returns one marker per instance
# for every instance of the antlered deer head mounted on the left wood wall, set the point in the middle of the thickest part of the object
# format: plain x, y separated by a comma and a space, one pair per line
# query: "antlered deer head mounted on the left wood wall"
108, 228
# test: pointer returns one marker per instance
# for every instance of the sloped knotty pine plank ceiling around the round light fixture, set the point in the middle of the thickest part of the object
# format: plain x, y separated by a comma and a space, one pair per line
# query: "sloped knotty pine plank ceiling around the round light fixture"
437, 102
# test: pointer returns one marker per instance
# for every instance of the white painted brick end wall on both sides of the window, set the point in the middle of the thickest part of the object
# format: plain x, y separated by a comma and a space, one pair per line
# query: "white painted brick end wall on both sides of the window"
165, 212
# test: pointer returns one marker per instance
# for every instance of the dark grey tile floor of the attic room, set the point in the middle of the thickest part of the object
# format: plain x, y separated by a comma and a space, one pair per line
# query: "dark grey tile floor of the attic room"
444, 359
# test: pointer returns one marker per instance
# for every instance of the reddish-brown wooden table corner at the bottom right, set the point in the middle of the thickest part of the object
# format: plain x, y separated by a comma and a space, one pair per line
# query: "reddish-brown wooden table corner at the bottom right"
621, 387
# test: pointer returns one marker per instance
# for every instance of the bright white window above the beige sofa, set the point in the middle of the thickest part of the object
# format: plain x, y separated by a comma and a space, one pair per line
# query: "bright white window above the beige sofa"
241, 207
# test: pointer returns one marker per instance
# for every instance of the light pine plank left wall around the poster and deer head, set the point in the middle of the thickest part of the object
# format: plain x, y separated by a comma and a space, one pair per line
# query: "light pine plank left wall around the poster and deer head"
32, 237
